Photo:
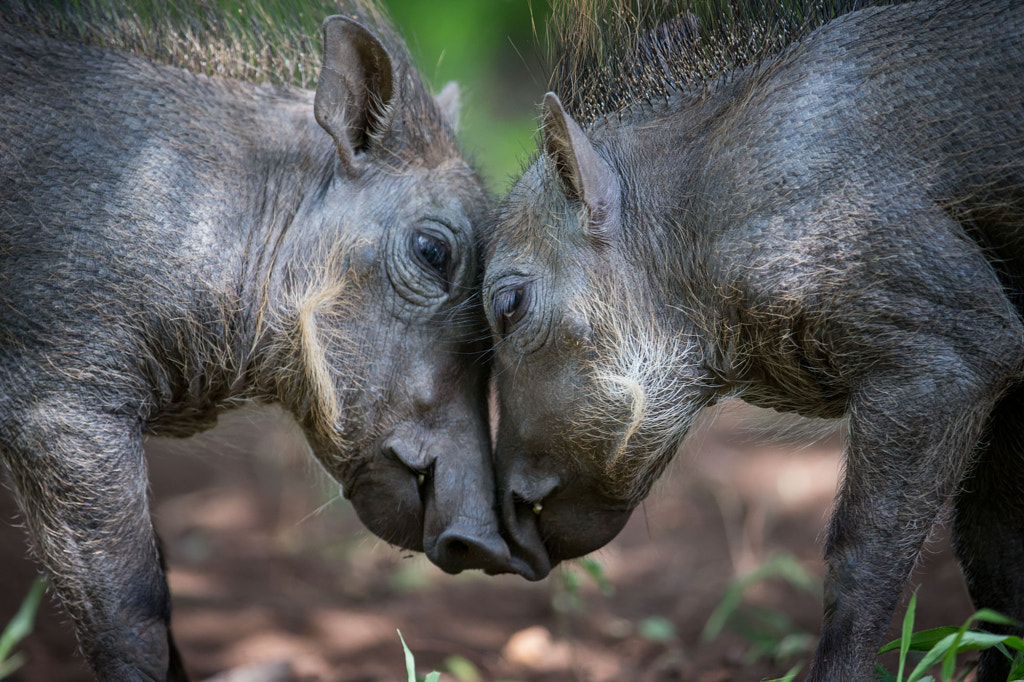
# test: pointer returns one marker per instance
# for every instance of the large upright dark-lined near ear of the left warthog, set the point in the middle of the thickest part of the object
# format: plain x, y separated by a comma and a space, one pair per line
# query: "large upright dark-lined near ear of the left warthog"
355, 90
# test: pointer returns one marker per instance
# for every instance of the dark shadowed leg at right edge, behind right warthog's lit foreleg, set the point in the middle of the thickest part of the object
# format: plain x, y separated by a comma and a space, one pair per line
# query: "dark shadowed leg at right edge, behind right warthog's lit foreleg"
989, 527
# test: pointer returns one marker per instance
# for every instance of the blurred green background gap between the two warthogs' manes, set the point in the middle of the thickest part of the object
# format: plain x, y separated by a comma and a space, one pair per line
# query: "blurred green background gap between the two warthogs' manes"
490, 48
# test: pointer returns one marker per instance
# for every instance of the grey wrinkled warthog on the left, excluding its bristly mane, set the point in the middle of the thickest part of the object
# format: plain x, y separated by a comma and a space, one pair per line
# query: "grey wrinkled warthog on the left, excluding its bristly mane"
175, 245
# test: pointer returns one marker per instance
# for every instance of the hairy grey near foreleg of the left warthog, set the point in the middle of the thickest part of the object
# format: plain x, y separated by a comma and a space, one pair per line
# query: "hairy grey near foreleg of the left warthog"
81, 481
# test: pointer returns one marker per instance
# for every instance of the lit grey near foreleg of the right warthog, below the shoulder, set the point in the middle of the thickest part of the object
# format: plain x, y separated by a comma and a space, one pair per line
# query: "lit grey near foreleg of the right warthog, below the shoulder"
910, 446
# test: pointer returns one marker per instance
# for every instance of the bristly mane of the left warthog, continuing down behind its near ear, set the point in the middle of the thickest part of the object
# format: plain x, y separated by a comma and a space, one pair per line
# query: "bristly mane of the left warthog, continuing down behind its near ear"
259, 41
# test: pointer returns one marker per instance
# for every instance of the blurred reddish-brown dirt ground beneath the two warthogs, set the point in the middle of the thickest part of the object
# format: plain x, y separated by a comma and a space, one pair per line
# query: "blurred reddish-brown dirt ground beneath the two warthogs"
262, 570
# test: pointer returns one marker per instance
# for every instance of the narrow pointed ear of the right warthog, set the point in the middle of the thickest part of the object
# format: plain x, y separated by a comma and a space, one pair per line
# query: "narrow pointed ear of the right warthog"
585, 177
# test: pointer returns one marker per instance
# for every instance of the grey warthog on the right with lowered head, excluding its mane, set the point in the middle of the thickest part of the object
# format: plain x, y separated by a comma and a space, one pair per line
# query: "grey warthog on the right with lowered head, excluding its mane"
836, 232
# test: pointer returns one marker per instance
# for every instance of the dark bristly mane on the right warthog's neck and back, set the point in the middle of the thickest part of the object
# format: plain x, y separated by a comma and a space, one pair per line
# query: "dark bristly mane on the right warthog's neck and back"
607, 56
